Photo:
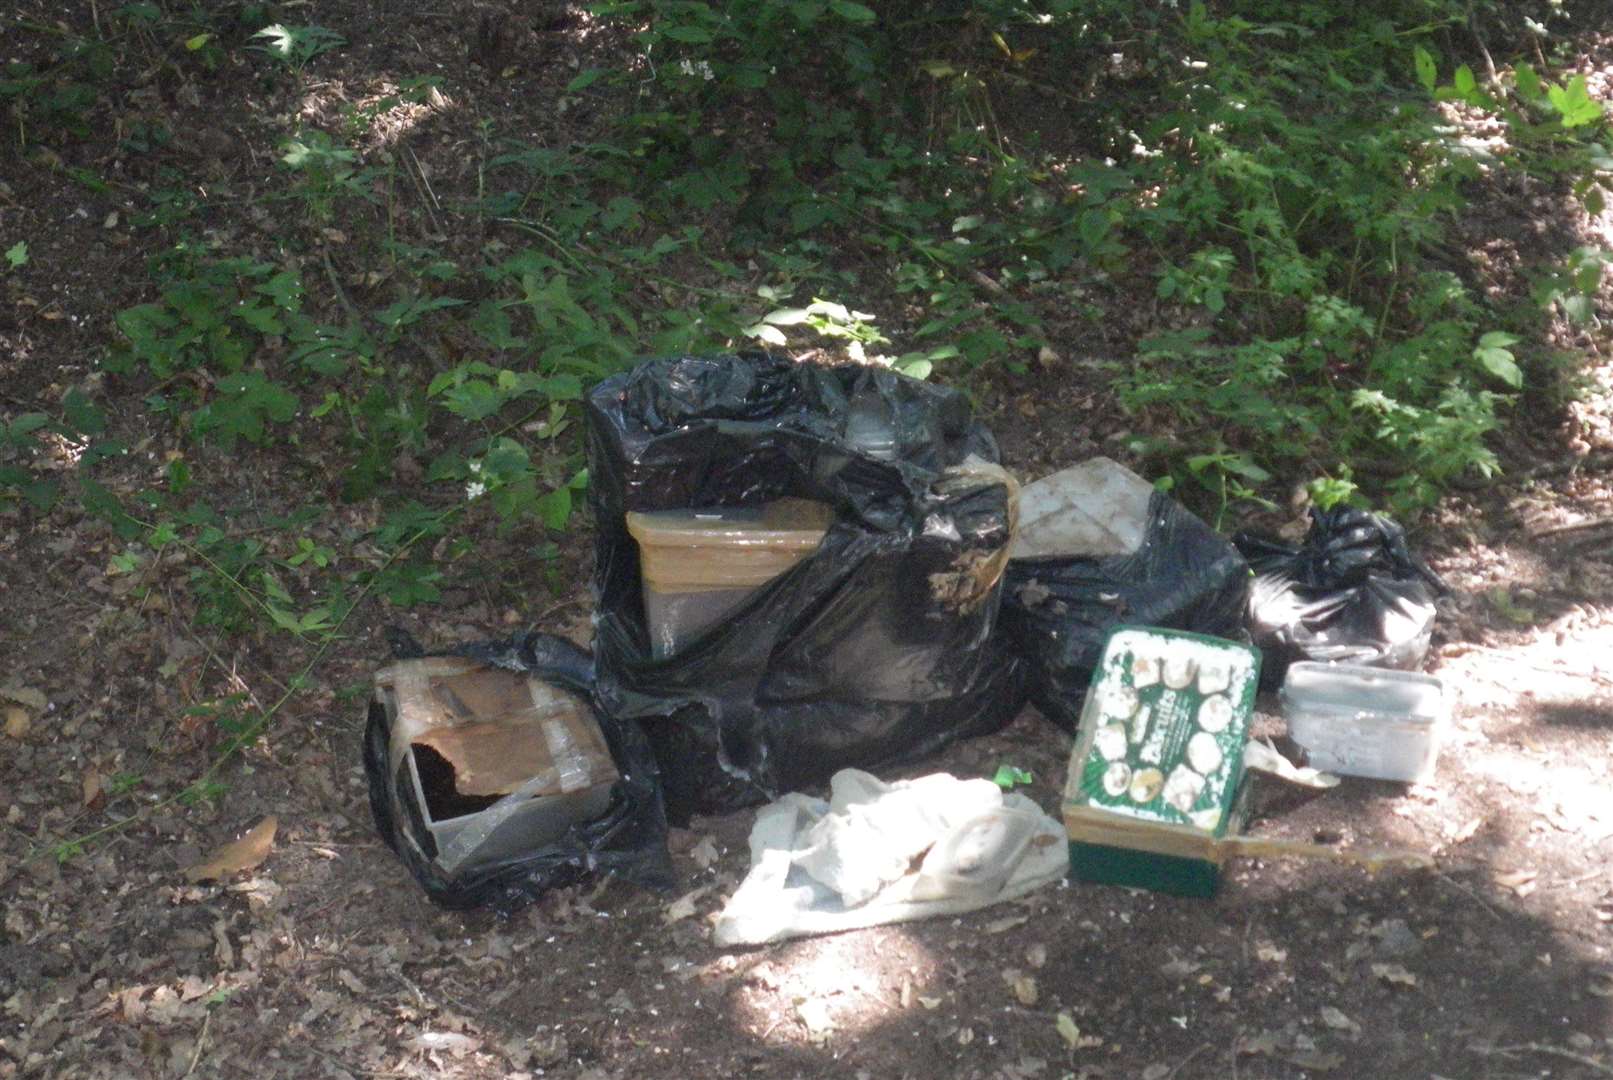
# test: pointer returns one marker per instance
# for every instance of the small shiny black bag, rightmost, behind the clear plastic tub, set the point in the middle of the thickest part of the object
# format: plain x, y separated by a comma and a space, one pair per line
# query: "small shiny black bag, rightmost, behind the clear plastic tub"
1351, 592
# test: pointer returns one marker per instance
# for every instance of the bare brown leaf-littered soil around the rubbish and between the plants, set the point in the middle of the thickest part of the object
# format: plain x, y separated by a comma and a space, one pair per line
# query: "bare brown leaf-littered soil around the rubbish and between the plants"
328, 962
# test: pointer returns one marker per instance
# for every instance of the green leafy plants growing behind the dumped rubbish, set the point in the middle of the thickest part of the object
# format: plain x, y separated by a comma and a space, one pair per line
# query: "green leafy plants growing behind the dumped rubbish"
952, 189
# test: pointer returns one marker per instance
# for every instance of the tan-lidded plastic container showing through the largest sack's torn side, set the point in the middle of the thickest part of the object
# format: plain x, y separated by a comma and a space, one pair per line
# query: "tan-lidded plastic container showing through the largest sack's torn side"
701, 565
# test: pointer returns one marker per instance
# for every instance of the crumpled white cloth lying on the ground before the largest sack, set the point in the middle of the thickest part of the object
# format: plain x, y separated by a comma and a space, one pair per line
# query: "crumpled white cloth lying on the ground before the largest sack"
880, 854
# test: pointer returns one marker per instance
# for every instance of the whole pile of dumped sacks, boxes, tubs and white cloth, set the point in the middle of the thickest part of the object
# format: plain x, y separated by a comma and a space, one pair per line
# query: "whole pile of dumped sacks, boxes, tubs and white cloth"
806, 576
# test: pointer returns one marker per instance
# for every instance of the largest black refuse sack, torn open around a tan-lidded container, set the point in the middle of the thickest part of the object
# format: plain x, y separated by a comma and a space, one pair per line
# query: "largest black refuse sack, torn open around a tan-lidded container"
877, 647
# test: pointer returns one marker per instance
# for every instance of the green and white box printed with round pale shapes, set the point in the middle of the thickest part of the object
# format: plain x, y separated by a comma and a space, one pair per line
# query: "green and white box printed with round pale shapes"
1157, 775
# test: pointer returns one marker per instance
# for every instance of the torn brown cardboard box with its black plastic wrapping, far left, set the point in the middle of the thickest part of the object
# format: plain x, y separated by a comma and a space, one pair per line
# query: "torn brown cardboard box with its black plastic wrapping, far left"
494, 781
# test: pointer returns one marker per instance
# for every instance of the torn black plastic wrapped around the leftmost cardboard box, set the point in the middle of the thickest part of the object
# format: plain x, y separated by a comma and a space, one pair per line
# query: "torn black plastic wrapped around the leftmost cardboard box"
628, 839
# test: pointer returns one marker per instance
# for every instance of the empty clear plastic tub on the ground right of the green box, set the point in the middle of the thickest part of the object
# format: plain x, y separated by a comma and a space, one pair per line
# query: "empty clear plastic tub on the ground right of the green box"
1367, 721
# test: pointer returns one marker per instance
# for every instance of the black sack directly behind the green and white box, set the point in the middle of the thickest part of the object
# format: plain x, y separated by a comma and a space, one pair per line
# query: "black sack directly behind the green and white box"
1057, 610
